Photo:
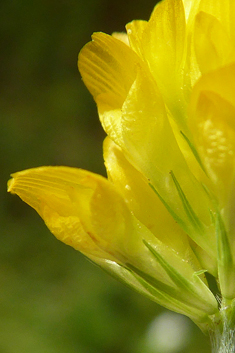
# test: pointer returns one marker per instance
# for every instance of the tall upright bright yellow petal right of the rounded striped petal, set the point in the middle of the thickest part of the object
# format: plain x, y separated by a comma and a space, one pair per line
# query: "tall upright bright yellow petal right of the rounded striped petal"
163, 48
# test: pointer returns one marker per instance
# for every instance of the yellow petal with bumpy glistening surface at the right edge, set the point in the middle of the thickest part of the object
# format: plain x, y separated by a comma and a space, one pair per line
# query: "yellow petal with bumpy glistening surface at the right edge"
215, 137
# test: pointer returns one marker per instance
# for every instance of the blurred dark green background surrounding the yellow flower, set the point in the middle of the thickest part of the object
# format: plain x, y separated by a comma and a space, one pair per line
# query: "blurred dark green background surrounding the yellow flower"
53, 300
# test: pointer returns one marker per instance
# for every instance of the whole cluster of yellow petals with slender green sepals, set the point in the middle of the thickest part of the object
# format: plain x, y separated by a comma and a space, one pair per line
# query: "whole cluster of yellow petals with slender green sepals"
165, 98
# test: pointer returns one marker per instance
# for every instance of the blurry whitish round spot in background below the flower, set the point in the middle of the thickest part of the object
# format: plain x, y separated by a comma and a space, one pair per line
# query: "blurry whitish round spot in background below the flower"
168, 333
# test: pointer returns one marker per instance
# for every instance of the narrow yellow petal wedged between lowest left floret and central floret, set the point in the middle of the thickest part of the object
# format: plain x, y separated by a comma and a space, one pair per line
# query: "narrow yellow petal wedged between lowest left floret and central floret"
144, 203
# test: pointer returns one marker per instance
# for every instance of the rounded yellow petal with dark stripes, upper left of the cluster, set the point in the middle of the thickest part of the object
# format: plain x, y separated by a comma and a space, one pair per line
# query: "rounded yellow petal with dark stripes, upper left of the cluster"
108, 69
